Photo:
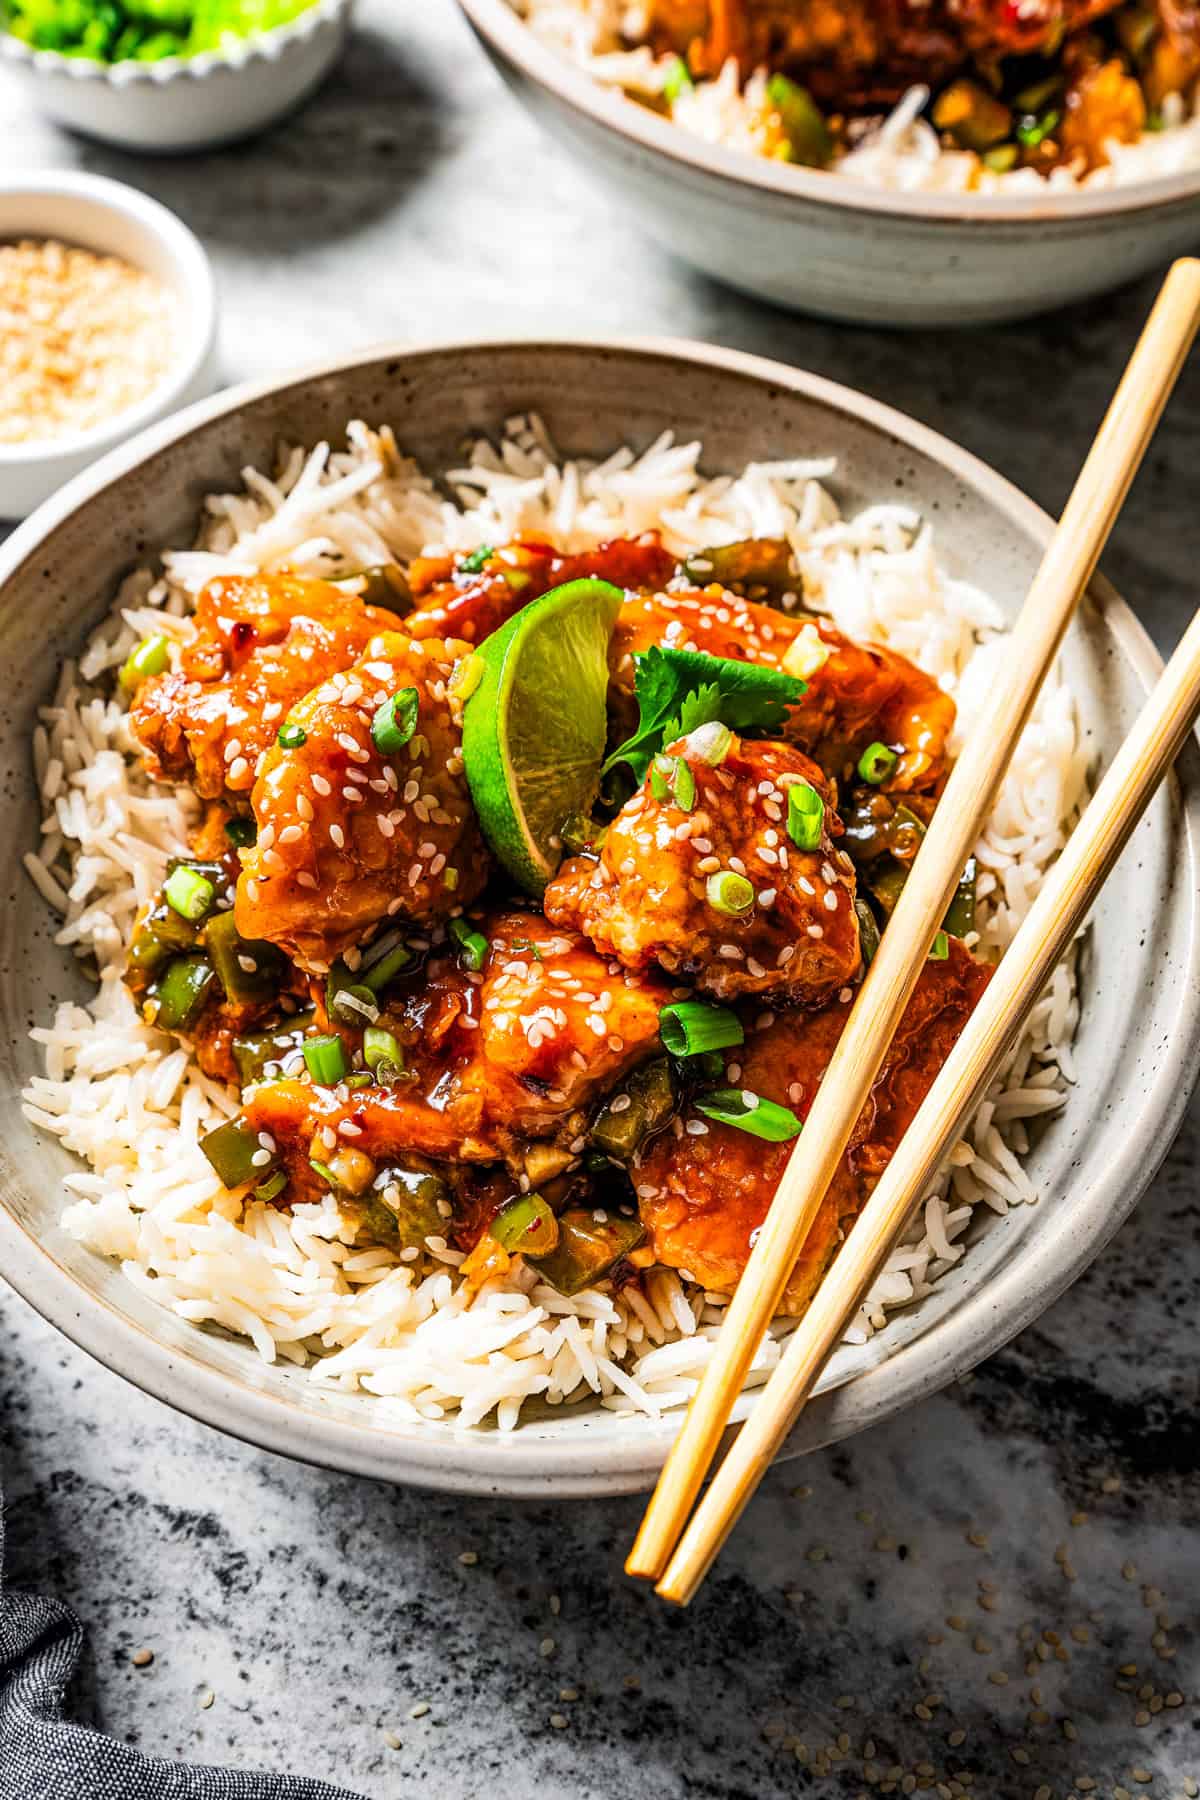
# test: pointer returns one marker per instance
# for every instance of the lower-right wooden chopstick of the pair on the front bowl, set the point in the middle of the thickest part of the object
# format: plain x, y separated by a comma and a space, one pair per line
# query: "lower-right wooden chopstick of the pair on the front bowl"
1048, 930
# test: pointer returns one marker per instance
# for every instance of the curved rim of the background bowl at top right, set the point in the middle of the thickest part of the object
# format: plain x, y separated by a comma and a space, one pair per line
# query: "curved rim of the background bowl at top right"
512, 39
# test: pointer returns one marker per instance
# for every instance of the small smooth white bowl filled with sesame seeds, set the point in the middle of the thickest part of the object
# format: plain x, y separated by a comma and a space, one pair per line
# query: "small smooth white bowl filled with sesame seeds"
107, 323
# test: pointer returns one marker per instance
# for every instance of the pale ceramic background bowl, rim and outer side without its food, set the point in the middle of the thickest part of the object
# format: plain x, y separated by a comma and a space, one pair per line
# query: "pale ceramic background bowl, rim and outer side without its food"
825, 244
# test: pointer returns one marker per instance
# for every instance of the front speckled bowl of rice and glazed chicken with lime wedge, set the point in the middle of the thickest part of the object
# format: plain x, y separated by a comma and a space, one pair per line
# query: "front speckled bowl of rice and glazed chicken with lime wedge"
460, 795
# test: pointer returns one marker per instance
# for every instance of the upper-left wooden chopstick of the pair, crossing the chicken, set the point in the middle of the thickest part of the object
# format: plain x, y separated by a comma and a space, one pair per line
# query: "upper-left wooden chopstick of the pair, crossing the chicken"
1062, 577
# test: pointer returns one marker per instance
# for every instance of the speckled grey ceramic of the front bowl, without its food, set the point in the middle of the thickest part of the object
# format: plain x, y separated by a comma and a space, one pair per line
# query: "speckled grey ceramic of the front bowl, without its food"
1140, 1038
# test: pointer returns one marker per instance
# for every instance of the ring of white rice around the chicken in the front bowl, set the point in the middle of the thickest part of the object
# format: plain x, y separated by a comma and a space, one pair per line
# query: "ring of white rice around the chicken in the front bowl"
130, 1104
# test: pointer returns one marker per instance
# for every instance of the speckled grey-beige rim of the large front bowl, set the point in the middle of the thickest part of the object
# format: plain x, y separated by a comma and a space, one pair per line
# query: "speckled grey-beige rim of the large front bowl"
512, 1464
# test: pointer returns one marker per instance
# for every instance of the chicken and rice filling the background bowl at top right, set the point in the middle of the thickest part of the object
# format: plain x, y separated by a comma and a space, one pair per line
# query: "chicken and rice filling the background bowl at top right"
980, 96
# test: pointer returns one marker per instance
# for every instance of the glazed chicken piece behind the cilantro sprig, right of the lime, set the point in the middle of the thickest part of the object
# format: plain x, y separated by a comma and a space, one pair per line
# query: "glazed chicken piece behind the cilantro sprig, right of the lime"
855, 694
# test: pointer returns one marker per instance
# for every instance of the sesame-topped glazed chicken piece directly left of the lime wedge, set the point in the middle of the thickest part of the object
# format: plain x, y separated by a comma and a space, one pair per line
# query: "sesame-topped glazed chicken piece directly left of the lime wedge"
352, 834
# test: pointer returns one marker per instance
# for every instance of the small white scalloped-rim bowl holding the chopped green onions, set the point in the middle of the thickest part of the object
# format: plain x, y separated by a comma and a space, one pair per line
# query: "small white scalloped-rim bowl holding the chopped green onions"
186, 103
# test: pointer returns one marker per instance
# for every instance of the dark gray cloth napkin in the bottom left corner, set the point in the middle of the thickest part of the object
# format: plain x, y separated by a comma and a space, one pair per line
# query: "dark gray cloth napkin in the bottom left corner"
46, 1758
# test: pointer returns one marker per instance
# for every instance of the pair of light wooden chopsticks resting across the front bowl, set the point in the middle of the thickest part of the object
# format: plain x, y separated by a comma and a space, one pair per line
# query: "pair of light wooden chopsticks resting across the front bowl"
670, 1551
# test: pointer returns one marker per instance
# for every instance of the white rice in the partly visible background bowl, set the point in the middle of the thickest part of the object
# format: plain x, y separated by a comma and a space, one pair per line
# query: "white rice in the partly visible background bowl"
900, 152
